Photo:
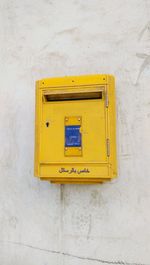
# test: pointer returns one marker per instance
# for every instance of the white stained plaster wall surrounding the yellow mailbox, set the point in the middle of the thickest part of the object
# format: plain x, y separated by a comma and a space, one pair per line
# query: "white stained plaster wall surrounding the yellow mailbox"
44, 224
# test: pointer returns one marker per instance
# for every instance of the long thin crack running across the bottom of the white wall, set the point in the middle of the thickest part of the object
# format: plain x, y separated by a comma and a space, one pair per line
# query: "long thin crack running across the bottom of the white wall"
115, 262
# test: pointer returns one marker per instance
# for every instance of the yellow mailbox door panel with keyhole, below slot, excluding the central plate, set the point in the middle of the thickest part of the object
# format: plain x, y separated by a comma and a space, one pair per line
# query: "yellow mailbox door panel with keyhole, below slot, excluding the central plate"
93, 130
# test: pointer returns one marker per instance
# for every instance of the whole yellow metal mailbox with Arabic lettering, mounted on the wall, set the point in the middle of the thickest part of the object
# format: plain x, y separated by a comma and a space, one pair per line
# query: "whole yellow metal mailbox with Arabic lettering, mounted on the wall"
75, 129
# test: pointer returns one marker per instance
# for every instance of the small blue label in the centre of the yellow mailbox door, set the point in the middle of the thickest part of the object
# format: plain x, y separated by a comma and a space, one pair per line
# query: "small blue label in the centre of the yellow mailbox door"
72, 136
